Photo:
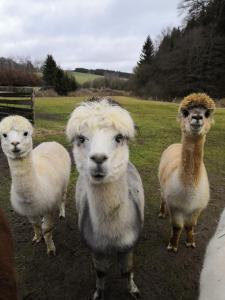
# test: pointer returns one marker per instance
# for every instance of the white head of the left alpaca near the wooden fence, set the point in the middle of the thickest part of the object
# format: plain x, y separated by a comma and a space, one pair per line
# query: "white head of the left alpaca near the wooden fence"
16, 136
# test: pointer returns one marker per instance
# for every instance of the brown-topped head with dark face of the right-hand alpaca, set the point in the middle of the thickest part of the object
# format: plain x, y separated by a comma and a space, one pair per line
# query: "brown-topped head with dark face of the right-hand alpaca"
196, 114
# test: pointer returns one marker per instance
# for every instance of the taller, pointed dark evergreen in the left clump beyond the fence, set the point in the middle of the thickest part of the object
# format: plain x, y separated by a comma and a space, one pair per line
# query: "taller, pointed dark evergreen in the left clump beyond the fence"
49, 70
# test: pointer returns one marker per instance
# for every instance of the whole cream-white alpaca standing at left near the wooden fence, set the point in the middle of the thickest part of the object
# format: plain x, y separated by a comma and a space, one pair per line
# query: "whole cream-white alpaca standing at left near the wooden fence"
39, 176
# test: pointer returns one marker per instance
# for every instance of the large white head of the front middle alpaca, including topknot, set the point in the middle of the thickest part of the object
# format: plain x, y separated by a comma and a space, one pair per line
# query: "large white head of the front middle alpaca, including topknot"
100, 130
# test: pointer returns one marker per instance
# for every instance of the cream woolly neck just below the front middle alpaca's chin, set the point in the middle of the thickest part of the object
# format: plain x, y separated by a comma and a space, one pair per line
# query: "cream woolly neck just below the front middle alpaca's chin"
106, 199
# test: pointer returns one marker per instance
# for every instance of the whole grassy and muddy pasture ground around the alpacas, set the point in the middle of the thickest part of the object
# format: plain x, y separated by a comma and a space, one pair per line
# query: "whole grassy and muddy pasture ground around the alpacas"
159, 275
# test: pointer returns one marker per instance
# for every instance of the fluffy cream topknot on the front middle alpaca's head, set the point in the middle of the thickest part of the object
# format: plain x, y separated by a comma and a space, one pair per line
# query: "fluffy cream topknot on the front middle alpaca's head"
97, 113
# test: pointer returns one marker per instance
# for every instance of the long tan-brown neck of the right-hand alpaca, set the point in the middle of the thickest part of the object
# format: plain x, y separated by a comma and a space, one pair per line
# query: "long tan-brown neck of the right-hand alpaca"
192, 158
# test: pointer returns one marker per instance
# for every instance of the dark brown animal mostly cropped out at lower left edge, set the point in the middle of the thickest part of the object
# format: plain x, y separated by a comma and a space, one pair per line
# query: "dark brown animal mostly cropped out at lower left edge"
8, 289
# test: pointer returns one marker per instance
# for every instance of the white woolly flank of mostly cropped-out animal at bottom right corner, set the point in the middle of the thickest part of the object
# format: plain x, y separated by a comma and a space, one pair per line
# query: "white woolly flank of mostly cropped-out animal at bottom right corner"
212, 279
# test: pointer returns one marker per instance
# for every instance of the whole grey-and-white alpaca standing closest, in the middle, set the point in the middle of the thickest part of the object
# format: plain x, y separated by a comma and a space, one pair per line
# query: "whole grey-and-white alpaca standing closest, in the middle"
109, 192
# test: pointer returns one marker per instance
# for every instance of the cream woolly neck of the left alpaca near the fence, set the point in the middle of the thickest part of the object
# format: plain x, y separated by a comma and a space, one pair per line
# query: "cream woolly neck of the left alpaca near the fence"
23, 175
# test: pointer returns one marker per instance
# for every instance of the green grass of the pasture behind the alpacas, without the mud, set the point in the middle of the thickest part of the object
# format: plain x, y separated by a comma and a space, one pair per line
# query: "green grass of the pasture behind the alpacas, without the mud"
157, 128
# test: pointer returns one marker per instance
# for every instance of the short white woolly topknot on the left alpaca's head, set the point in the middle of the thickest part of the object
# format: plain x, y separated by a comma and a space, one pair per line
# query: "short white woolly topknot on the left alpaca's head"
15, 122
